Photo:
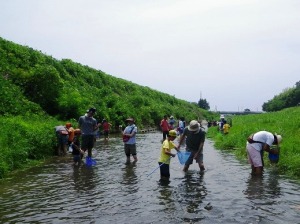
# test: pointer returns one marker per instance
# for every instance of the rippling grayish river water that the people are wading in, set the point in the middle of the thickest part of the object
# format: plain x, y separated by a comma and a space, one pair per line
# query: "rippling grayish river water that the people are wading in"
112, 192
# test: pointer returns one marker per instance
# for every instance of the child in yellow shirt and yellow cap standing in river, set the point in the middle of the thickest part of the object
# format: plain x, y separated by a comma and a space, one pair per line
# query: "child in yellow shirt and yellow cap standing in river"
165, 155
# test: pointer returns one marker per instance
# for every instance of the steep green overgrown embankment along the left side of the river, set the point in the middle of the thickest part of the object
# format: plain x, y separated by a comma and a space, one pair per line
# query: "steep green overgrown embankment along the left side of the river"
39, 92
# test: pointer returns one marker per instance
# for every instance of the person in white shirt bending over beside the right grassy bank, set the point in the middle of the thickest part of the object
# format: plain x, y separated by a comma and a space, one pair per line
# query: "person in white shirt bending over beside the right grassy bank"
257, 143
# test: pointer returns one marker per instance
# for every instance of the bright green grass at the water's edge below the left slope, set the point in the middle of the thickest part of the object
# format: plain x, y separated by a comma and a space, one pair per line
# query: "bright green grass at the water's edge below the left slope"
25, 141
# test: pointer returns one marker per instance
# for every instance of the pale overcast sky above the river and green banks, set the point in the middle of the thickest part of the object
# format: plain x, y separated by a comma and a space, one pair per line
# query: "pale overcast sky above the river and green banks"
236, 54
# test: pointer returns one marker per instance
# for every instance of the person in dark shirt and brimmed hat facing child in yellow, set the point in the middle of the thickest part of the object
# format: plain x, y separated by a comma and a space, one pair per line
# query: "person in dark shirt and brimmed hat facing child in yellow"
194, 138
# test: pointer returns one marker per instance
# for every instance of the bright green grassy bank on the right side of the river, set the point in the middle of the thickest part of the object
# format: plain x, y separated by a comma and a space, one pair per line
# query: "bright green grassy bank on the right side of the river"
285, 123
